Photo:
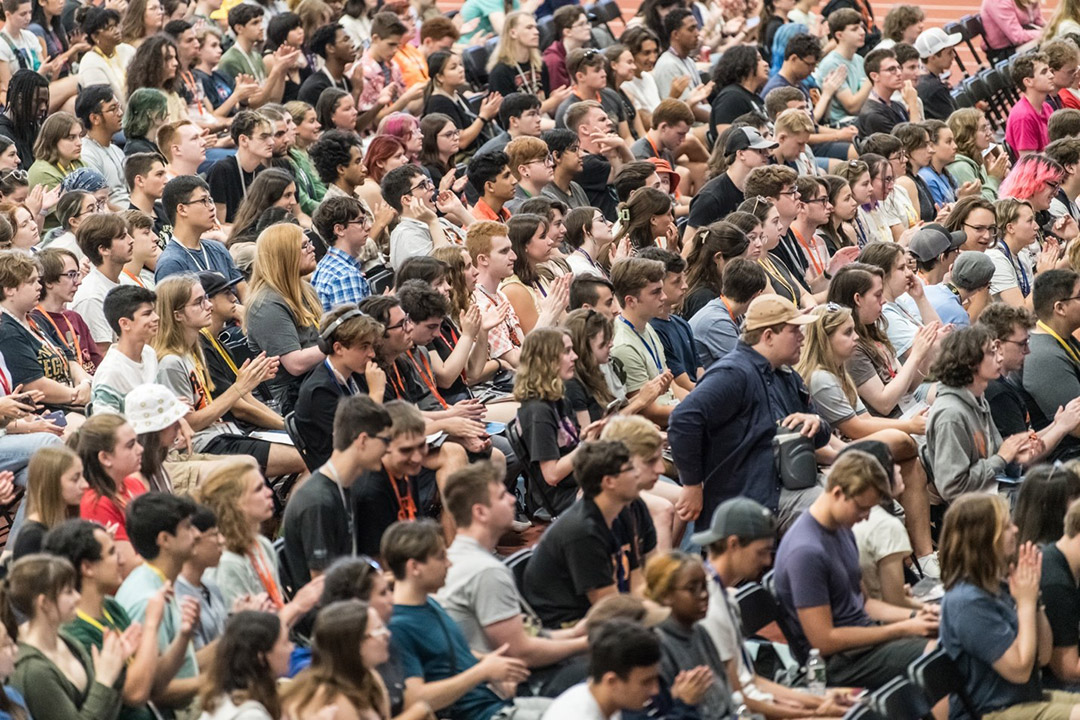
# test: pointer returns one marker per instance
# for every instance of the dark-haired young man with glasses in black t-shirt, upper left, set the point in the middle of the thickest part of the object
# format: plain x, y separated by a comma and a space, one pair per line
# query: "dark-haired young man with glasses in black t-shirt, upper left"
231, 178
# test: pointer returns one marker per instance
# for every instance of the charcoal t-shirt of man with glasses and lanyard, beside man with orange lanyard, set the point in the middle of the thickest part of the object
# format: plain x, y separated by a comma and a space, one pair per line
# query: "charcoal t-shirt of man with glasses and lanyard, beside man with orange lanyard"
317, 527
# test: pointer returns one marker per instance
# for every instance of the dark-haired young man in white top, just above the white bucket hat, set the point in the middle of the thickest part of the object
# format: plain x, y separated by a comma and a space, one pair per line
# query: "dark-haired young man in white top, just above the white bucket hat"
131, 361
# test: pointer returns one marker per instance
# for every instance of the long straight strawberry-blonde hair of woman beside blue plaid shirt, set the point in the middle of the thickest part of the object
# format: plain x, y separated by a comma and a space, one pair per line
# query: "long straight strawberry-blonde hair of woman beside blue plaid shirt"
277, 269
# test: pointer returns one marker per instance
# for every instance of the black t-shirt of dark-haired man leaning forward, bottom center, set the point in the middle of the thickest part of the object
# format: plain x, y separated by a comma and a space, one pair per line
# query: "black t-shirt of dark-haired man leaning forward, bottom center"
578, 554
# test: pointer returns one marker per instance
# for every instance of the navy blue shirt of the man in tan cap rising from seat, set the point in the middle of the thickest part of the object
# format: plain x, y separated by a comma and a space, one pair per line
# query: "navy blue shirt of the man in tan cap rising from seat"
722, 433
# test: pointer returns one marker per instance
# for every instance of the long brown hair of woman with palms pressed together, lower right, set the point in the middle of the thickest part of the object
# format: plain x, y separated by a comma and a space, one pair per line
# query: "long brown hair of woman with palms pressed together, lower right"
974, 524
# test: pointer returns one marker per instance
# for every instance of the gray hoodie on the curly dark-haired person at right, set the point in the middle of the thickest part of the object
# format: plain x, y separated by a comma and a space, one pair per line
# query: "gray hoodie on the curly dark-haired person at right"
962, 440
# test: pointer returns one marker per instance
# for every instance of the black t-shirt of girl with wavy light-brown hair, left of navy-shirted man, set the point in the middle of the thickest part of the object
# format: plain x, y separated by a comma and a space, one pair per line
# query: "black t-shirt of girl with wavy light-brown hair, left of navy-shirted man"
550, 431
